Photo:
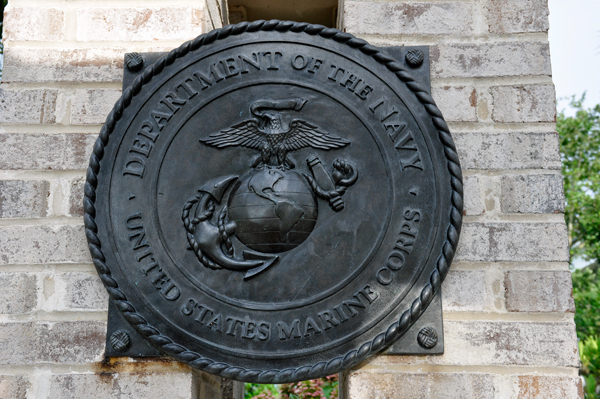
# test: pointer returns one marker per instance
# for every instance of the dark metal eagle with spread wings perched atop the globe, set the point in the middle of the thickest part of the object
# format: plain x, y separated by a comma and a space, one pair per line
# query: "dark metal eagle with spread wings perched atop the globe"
269, 135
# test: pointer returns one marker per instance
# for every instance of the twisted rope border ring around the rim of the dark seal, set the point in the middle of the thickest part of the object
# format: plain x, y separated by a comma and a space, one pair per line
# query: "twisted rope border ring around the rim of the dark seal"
339, 363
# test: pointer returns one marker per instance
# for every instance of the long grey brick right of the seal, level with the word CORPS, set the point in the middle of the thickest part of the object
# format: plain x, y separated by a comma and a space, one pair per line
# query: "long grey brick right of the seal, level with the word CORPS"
513, 242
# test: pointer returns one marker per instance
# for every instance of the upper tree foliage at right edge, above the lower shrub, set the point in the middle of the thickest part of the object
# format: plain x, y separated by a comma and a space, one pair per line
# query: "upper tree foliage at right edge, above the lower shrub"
580, 150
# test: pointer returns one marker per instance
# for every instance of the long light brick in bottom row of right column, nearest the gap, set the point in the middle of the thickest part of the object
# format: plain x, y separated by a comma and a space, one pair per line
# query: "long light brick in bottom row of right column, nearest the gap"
390, 385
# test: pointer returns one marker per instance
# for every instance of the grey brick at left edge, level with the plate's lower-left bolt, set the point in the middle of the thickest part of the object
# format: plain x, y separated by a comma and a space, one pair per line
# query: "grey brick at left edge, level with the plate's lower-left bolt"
72, 342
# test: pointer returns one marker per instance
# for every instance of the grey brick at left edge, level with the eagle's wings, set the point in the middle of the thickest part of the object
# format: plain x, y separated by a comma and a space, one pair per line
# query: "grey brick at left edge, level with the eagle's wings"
32, 151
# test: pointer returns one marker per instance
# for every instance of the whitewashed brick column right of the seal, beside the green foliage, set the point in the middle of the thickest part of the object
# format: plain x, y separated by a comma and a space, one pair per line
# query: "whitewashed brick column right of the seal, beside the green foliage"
508, 309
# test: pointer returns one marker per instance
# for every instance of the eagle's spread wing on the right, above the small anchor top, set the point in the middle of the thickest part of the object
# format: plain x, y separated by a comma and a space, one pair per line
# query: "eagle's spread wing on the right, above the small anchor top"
303, 134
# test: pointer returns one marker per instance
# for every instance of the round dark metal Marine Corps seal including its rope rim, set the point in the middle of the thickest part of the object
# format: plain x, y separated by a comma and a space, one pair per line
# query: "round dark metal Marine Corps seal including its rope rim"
273, 201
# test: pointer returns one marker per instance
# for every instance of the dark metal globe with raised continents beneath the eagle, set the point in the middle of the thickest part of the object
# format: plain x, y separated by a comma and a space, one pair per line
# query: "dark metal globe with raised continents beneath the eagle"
275, 210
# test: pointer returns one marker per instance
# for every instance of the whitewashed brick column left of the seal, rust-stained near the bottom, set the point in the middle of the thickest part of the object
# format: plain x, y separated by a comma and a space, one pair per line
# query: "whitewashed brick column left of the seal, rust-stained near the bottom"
62, 75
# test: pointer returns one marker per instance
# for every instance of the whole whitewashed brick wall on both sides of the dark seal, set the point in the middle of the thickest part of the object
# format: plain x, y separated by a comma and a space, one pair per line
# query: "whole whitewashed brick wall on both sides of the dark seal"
509, 329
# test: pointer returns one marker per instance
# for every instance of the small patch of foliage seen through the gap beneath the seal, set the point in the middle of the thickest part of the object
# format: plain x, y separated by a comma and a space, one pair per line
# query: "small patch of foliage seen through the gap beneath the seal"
323, 388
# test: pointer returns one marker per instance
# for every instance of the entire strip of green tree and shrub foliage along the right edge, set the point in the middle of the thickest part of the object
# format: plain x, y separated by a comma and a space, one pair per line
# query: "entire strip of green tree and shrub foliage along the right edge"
580, 154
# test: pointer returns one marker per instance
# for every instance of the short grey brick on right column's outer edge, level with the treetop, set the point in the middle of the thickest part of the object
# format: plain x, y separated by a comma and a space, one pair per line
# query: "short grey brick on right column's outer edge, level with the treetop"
527, 103
